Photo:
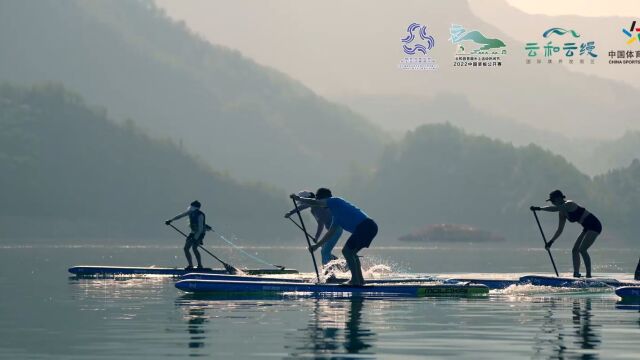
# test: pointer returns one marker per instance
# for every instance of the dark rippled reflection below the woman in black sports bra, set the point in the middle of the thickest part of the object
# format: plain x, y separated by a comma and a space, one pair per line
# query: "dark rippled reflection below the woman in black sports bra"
551, 340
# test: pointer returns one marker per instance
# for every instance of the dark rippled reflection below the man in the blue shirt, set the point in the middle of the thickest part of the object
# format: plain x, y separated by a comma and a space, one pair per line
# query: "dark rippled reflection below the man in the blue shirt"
334, 331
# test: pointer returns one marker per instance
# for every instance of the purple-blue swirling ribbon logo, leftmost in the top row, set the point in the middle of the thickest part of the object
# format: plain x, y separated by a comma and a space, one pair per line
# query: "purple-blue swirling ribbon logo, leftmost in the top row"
415, 45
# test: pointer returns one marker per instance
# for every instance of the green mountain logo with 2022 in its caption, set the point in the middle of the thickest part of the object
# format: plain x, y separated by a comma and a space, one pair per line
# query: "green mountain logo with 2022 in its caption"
474, 49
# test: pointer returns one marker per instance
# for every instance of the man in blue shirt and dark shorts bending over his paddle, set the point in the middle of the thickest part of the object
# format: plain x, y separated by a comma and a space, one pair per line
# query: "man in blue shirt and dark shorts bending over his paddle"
350, 218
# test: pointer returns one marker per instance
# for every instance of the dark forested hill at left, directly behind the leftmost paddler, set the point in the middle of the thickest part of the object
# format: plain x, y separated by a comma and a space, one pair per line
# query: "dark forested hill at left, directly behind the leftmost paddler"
69, 171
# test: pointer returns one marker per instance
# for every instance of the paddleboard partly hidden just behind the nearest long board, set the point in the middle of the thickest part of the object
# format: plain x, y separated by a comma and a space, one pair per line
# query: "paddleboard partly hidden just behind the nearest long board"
208, 276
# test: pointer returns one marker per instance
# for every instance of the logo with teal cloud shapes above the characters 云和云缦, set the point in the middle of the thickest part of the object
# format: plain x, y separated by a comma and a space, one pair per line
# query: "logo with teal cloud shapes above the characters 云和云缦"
568, 52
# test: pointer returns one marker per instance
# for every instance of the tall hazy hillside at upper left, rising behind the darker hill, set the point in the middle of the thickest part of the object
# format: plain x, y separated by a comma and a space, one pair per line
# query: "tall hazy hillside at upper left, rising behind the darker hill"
236, 115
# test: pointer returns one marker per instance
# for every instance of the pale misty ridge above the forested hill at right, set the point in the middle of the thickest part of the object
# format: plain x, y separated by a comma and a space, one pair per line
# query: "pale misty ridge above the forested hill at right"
592, 156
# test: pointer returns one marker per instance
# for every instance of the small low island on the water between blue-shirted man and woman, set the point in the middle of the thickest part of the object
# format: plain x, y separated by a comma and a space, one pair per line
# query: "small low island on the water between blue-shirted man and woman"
451, 233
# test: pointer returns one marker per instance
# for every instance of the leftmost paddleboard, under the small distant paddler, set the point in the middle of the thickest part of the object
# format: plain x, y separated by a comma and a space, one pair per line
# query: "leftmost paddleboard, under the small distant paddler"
130, 270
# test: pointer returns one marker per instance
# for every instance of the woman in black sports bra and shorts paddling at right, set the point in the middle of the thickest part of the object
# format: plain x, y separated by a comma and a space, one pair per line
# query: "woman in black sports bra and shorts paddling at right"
591, 228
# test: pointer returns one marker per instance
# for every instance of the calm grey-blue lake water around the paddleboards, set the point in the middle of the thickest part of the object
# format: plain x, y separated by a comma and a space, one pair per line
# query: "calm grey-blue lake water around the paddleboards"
45, 314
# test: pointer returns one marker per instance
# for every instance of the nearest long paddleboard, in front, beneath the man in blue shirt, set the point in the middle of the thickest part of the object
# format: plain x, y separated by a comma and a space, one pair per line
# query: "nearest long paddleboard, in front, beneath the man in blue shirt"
226, 287
